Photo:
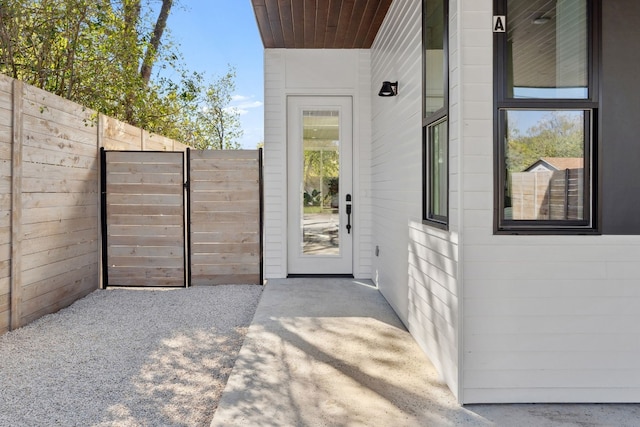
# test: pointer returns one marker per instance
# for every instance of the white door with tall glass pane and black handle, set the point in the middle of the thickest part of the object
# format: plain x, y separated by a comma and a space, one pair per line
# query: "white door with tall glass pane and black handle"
320, 197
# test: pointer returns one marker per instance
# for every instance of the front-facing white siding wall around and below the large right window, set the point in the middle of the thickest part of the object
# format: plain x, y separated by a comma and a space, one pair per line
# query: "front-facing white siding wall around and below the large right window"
546, 319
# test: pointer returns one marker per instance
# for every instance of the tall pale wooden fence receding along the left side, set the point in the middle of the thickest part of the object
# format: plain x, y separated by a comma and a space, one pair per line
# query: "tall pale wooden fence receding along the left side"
49, 199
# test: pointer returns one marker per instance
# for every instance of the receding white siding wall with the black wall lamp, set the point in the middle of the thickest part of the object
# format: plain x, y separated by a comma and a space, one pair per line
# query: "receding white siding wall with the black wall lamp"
417, 267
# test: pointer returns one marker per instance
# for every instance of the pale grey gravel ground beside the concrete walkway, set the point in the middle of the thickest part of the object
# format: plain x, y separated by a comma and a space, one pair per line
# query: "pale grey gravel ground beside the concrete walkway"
123, 357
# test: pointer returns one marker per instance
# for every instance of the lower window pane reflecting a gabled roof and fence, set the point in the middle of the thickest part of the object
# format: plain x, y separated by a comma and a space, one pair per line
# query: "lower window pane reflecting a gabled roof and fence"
545, 163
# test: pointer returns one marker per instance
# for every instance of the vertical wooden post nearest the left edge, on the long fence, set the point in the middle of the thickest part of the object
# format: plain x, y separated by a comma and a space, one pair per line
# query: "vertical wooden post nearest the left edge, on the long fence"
16, 205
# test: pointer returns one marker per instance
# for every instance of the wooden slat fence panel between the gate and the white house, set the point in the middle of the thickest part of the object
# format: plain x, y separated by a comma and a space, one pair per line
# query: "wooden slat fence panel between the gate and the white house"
224, 194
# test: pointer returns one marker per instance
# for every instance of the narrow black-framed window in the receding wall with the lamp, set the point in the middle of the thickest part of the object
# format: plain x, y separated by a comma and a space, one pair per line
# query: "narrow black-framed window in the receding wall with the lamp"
435, 111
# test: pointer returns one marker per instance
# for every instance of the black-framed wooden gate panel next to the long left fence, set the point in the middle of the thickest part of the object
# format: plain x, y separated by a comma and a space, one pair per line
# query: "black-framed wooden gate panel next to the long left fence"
143, 209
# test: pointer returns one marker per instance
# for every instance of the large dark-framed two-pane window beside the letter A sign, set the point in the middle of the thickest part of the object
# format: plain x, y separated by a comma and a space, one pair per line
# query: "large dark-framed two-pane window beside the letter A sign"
546, 103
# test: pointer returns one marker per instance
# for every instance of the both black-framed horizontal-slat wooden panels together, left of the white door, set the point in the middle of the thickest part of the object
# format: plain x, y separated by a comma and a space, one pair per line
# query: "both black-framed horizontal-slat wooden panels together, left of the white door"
154, 233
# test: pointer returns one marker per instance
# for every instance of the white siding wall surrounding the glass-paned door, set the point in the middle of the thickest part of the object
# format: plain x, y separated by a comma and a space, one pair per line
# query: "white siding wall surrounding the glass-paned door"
309, 73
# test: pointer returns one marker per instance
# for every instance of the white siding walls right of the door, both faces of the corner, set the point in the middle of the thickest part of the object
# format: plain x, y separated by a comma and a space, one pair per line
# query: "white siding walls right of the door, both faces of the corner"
503, 318
